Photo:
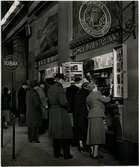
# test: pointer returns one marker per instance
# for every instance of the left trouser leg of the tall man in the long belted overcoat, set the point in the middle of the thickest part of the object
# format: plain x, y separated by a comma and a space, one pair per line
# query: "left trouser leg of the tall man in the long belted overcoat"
56, 147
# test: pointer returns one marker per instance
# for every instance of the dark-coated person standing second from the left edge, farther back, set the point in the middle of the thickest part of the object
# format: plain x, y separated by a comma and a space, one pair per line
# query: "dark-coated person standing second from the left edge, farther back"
22, 103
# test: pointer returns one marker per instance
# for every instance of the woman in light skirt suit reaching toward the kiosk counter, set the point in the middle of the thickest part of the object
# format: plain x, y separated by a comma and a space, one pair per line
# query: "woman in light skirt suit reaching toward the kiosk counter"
96, 132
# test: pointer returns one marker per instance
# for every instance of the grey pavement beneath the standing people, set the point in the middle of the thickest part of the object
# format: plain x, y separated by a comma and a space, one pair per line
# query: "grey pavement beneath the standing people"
41, 154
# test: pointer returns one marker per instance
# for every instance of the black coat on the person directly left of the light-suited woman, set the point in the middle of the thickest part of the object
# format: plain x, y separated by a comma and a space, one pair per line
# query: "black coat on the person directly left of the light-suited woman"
81, 113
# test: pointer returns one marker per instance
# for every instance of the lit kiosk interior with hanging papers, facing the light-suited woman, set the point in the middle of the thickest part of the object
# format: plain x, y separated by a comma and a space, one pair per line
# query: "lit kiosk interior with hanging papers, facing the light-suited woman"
103, 73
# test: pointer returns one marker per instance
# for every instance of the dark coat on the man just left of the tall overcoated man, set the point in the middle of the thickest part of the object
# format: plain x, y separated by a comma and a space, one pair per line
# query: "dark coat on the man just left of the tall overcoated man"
34, 112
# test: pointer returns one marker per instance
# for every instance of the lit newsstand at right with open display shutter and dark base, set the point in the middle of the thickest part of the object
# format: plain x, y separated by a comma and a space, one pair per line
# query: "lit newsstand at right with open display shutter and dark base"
110, 74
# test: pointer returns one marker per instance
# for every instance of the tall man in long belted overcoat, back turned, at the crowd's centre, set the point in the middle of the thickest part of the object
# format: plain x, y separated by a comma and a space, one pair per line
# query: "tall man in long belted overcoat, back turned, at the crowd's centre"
60, 128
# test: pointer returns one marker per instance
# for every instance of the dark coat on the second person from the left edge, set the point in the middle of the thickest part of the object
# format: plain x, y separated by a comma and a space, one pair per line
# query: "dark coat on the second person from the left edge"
22, 101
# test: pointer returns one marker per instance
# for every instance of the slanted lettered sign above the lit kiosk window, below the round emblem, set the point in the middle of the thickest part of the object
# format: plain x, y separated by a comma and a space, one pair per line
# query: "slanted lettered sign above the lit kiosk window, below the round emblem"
96, 44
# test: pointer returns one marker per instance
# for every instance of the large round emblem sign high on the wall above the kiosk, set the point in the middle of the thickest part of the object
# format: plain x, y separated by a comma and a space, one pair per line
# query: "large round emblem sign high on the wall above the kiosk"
95, 18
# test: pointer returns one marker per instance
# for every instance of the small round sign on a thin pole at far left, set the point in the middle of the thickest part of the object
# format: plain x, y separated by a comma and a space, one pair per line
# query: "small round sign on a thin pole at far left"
10, 62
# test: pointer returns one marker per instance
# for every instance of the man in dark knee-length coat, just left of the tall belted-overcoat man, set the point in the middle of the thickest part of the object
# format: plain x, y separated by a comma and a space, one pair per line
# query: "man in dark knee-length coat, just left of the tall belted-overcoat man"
34, 113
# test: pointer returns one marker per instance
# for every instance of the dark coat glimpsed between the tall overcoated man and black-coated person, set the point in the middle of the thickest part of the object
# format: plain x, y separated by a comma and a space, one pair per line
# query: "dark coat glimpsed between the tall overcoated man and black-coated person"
70, 94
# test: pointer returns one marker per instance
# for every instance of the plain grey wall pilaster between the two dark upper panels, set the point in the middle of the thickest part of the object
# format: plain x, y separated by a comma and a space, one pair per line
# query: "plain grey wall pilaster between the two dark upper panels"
64, 30
